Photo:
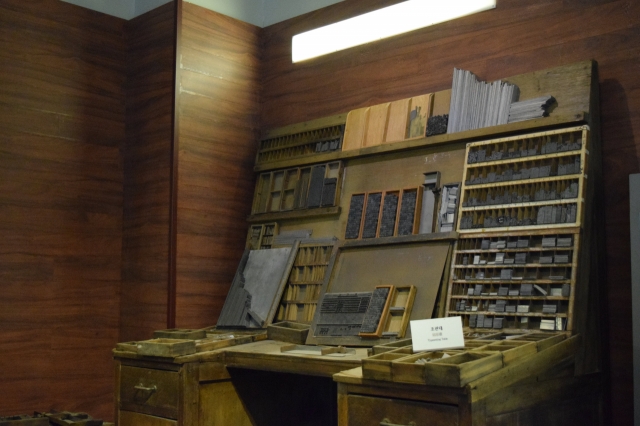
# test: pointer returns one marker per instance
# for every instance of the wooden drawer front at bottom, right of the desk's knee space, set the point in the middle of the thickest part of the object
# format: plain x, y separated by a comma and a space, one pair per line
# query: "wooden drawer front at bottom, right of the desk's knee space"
370, 411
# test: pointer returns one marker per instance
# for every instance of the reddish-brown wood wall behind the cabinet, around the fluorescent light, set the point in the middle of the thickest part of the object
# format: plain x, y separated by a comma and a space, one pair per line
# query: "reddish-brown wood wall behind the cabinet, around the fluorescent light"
517, 37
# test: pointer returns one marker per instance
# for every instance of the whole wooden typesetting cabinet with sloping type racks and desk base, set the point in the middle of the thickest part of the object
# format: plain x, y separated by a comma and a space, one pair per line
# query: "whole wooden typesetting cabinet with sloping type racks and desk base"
510, 245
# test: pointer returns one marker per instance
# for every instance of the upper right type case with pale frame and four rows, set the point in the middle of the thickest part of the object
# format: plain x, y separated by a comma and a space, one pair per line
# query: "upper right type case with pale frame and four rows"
529, 181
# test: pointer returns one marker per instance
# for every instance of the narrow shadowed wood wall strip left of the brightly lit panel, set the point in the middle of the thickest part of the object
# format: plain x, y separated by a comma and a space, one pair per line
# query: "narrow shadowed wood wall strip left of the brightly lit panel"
147, 165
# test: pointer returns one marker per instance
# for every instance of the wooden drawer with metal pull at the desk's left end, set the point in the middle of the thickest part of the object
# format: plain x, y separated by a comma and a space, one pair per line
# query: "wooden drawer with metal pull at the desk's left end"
144, 390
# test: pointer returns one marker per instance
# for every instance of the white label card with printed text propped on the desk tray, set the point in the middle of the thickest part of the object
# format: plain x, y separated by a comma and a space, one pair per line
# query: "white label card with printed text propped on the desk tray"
437, 334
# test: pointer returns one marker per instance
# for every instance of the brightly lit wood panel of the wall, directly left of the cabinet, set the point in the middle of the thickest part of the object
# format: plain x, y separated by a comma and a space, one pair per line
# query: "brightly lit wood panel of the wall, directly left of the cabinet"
218, 109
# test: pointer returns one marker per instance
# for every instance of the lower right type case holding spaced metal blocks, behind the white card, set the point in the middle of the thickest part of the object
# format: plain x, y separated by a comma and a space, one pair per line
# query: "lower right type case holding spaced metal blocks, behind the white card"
515, 281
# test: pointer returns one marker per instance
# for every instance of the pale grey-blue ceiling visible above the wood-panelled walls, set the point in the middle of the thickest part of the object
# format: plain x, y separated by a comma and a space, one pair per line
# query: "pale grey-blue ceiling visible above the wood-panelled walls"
261, 13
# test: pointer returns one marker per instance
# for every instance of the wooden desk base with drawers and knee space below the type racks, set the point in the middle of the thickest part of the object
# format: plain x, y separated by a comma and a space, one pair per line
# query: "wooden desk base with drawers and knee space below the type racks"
257, 384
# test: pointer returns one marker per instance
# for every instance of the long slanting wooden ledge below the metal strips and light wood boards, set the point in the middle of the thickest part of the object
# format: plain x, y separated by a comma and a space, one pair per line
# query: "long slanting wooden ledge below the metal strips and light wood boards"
416, 143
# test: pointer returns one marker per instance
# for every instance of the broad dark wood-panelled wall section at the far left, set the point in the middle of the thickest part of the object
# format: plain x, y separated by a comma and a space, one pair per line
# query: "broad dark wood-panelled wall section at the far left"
61, 130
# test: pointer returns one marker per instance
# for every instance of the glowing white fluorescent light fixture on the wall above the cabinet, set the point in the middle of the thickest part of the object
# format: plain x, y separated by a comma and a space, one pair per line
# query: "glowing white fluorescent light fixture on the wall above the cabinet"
386, 22
